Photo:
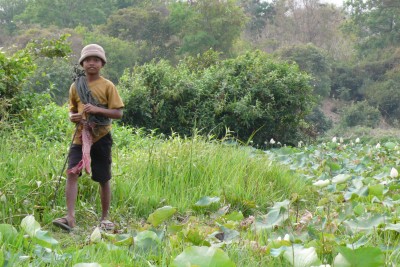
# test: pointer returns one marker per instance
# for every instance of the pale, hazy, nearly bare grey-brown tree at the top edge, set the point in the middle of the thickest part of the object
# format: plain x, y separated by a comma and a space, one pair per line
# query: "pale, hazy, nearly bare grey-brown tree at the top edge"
303, 22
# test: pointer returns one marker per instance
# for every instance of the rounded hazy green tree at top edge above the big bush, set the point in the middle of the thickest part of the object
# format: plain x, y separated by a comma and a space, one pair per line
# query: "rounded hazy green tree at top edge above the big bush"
206, 24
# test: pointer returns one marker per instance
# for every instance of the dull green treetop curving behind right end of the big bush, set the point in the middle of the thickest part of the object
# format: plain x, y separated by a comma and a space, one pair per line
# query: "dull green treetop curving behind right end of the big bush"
314, 61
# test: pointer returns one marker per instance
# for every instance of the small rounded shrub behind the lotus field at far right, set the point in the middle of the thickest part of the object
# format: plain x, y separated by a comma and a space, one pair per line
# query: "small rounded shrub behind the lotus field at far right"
361, 113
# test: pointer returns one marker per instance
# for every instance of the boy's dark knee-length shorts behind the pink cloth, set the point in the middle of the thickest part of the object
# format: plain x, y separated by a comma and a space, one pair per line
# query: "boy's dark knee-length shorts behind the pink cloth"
100, 154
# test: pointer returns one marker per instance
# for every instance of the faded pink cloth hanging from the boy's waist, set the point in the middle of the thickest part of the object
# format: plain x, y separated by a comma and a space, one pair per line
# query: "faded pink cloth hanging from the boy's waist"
87, 141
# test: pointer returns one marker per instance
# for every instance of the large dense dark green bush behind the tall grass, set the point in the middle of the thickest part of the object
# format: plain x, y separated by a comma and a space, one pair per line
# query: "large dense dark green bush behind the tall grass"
251, 93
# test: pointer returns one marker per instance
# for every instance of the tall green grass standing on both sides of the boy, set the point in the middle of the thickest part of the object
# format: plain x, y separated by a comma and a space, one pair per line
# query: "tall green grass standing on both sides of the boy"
148, 173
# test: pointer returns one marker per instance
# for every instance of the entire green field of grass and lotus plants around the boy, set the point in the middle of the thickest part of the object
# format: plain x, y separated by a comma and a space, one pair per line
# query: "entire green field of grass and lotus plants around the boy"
200, 202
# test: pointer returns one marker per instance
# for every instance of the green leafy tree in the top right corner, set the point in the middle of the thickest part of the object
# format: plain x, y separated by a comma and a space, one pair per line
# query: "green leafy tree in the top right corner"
376, 23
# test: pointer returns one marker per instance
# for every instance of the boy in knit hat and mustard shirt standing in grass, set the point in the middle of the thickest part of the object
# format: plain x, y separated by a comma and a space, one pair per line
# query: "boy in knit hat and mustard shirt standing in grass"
93, 102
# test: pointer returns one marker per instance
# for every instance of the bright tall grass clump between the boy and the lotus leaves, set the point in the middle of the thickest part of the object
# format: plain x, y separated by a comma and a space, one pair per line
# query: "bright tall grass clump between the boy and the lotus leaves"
180, 171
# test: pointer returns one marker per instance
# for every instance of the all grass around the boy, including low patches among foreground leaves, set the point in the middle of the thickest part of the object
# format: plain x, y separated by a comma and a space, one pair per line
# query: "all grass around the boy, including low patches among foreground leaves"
149, 173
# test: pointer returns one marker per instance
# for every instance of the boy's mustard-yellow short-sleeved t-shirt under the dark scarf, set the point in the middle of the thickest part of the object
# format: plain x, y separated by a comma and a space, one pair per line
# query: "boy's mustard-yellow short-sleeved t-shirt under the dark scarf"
106, 93
